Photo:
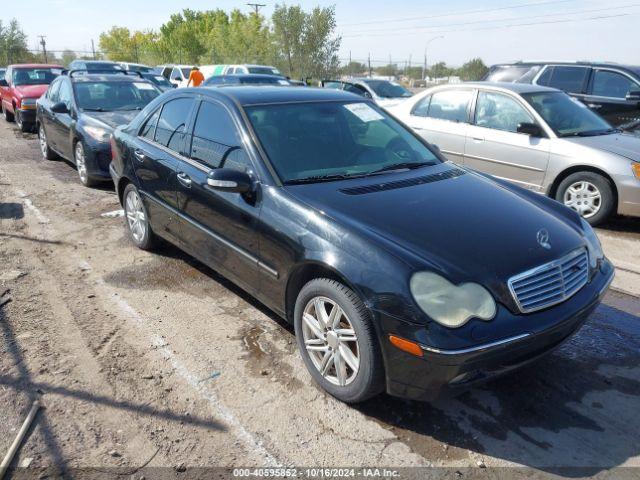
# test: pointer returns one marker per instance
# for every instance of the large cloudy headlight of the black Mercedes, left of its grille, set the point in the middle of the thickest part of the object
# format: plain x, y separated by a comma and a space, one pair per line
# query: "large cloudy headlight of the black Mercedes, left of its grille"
448, 304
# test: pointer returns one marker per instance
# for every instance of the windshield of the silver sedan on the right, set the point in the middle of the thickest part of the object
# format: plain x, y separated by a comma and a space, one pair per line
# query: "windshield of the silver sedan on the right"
567, 116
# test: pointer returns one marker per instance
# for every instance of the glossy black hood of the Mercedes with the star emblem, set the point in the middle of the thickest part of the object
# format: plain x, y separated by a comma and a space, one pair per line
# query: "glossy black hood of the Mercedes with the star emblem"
469, 227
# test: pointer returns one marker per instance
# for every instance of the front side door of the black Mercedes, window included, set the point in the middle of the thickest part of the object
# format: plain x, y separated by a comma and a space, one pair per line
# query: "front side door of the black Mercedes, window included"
220, 228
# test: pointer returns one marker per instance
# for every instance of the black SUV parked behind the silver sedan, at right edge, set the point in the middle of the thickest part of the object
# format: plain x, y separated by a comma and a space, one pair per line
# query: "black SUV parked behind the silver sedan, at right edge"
611, 90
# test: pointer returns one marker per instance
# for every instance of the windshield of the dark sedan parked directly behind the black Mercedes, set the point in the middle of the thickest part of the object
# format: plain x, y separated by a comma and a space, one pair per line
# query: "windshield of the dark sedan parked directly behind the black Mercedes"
109, 96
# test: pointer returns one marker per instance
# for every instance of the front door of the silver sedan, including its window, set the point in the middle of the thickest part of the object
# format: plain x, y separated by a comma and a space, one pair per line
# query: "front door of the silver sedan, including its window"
493, 145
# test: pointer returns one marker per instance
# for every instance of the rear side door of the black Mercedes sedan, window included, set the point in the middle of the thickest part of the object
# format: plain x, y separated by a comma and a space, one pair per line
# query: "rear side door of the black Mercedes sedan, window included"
155, 158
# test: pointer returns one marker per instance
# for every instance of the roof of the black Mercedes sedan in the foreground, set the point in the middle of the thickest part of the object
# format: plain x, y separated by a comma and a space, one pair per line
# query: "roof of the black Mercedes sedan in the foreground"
248, 95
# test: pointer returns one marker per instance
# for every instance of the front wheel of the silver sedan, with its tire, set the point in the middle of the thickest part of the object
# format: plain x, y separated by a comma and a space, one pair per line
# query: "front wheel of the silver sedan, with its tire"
588, 193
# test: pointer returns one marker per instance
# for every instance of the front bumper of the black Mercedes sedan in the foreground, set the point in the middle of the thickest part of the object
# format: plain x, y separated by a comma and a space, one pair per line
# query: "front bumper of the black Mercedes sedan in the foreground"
440, 371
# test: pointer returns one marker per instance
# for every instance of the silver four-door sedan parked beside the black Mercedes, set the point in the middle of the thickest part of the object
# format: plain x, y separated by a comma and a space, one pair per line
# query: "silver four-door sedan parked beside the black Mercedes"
537, 137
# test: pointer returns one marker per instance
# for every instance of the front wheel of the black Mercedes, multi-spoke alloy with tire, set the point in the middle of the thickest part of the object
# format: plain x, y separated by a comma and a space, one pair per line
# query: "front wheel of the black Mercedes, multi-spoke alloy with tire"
337, 341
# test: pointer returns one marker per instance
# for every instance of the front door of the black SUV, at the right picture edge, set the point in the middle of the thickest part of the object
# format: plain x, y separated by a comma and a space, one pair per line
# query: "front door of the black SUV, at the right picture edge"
611, 94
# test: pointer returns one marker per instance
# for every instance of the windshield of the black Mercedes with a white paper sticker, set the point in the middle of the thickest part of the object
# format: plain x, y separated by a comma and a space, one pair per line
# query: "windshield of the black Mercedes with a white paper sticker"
313, 142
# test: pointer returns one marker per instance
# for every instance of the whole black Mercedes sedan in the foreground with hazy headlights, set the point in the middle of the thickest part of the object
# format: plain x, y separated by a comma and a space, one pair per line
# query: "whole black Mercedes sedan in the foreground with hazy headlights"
399, 270
